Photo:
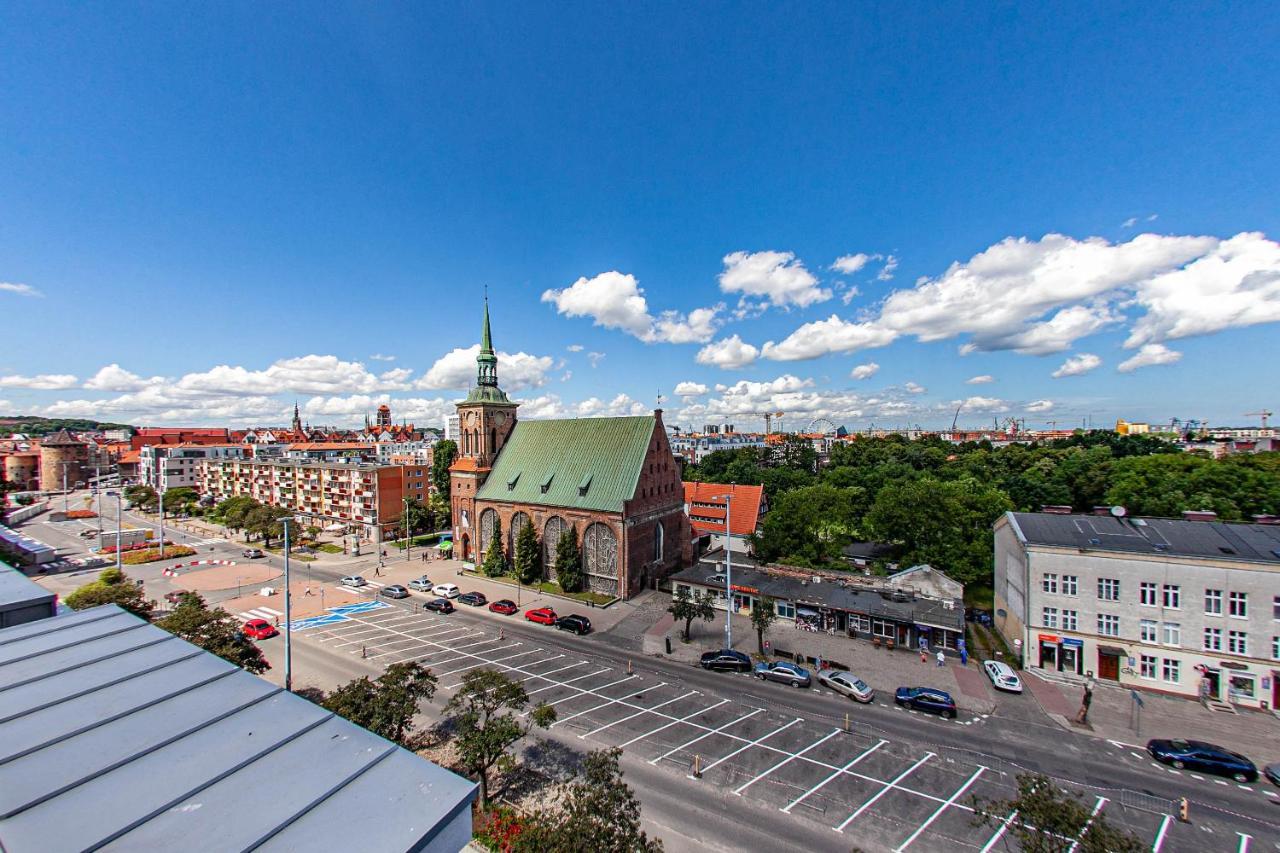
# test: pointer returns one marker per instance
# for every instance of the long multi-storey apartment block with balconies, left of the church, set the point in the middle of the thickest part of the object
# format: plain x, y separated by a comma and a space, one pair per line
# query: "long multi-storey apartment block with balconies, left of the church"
362, 498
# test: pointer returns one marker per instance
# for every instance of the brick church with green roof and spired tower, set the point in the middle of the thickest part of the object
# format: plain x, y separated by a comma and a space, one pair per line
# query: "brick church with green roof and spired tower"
612, 481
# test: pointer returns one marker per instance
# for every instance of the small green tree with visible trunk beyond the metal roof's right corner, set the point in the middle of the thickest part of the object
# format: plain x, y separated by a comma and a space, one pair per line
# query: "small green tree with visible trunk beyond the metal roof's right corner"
486, 727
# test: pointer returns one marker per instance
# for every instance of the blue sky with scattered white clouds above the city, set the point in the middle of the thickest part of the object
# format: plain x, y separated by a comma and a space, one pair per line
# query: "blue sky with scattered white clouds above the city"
209, 213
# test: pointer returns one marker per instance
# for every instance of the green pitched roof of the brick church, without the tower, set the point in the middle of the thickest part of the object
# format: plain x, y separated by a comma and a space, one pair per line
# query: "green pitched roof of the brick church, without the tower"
583, 464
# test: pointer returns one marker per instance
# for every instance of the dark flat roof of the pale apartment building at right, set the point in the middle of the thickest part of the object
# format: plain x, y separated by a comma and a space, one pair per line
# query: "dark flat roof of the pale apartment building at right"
1148, 536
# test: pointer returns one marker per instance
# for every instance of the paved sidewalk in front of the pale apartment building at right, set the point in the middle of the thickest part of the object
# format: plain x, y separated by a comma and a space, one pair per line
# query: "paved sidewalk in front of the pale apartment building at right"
1114, 718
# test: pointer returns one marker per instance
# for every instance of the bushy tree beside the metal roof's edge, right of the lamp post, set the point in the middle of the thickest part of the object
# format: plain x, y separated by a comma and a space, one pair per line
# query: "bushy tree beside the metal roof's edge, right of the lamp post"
388, 704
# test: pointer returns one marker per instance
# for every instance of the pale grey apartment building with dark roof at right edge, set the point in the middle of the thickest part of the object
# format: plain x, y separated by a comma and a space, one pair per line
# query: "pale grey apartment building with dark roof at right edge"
1186, 606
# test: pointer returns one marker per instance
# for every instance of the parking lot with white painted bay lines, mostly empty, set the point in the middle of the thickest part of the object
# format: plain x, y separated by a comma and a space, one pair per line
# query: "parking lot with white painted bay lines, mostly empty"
862, 787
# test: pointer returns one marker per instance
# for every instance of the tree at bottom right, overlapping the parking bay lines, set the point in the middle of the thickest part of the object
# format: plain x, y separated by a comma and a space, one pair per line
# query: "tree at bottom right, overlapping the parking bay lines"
1050, 820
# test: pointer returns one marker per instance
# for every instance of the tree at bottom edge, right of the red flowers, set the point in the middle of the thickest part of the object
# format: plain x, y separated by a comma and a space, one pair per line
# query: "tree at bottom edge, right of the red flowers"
601, 813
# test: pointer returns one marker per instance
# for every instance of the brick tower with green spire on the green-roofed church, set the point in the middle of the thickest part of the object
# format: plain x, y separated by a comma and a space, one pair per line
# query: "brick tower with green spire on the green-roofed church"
486, 419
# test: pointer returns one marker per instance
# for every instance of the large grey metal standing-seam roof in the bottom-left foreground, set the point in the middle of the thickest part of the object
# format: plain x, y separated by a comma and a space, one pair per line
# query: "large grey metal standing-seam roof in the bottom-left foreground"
115, 733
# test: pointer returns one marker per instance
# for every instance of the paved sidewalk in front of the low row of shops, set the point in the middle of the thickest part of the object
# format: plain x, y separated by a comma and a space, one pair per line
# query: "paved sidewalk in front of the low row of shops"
883, 669
